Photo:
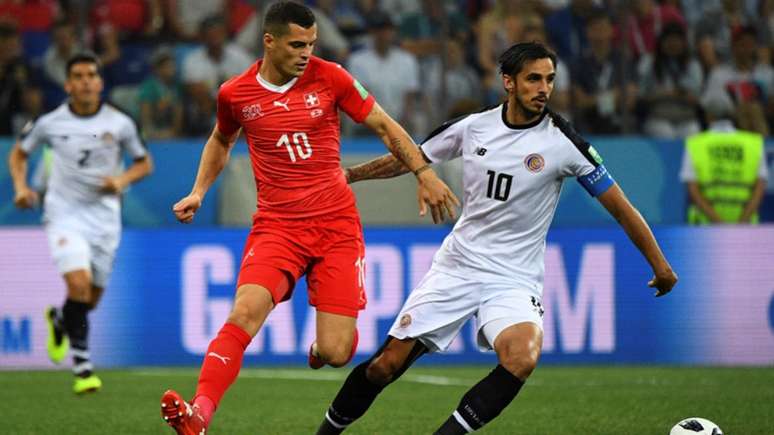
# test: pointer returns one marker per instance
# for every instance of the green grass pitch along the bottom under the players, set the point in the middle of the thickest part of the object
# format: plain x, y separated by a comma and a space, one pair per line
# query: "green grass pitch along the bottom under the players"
557, 400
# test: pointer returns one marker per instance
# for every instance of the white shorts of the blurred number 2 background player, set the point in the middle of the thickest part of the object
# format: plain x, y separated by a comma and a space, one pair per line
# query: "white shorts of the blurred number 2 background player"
72, 250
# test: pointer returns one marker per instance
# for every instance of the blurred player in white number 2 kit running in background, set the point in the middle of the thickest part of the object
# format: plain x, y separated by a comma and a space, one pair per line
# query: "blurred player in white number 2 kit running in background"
82, 205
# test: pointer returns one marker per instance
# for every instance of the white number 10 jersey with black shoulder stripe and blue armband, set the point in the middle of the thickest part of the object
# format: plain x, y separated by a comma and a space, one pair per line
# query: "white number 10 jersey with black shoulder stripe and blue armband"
512, 177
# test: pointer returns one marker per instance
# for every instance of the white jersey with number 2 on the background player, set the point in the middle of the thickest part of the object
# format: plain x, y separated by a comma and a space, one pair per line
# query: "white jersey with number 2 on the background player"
86, 149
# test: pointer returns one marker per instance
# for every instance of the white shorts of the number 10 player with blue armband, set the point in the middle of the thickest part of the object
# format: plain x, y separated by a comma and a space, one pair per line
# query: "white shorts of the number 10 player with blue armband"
438, 308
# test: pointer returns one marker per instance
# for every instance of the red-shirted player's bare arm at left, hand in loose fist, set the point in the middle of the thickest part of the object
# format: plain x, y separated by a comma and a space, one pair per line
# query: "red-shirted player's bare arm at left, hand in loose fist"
214, 158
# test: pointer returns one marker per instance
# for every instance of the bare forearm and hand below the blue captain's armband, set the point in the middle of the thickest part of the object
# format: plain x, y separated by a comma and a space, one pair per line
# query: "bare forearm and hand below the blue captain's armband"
640, 234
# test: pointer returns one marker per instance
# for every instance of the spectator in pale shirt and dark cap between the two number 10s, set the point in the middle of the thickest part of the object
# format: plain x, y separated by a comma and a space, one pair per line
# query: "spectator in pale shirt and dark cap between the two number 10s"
388, 71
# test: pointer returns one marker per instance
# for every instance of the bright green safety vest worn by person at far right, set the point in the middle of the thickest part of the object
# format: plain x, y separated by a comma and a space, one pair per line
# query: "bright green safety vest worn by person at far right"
726, 165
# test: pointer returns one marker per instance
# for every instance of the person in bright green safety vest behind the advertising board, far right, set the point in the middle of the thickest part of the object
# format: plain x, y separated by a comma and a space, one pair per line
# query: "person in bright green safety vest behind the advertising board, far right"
724, 168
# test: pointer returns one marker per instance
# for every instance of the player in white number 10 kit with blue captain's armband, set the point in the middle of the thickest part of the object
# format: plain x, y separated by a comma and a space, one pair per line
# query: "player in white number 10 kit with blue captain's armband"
515, 157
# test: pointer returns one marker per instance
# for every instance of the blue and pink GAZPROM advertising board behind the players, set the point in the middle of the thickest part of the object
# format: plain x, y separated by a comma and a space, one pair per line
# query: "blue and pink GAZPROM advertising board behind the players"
172, 289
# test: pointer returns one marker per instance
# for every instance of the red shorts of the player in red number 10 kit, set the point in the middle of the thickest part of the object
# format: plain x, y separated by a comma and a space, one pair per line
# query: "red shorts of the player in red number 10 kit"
329, 250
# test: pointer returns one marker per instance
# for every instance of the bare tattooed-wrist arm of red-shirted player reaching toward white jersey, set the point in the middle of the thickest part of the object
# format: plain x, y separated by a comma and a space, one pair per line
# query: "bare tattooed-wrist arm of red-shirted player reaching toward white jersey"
431, 190
